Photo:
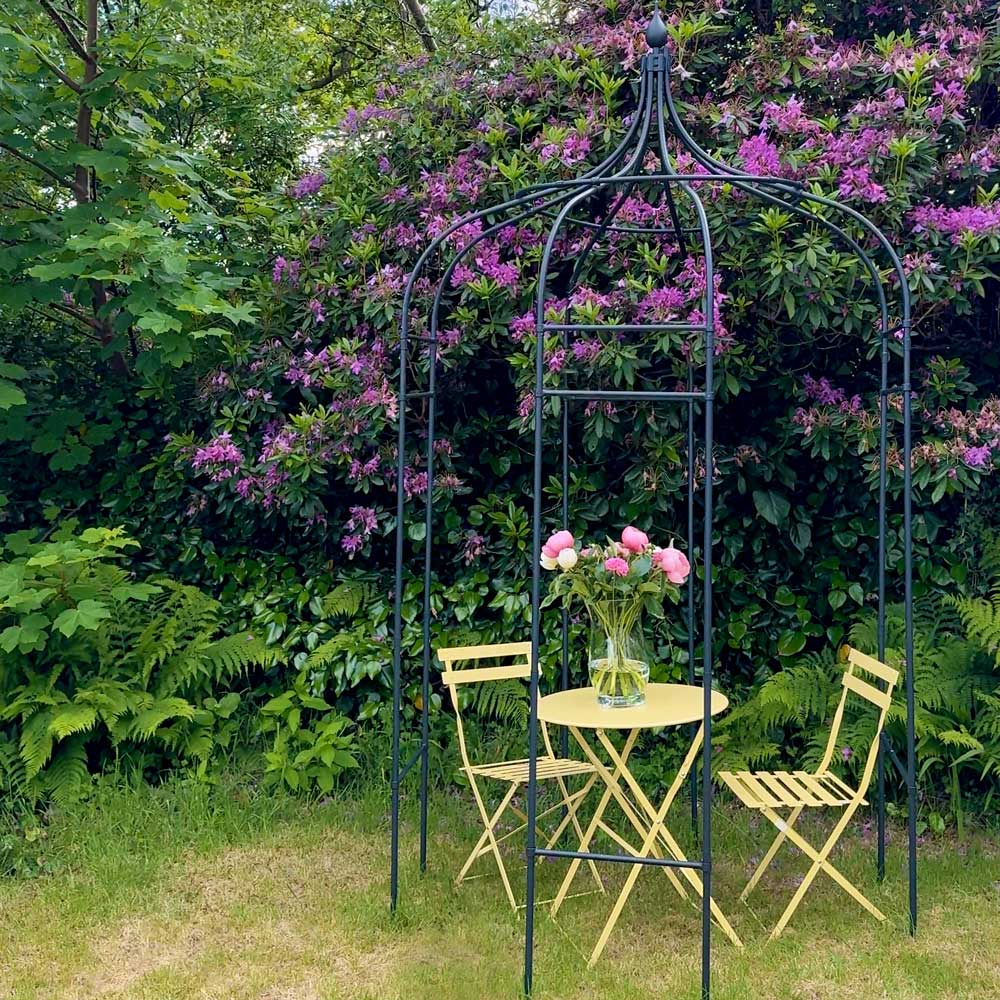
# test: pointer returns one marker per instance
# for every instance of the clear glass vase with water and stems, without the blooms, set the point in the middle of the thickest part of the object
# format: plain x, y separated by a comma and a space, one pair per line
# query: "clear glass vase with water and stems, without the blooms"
618, 660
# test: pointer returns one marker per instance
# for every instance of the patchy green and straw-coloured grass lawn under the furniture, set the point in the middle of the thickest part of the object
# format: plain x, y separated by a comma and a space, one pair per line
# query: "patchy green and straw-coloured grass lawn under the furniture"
190, 892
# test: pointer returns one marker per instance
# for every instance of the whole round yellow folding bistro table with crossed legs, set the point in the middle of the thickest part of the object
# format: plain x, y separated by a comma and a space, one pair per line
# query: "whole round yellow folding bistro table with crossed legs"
665, 705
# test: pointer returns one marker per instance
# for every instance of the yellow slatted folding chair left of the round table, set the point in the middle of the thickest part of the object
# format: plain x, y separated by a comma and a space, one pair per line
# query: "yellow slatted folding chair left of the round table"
512, 772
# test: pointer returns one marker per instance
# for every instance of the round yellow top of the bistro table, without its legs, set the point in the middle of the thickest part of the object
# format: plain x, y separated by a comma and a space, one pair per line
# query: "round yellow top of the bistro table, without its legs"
665, 705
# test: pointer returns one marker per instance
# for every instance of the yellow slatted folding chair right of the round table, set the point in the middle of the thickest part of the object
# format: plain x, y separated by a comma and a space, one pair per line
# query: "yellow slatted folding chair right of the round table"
770, 791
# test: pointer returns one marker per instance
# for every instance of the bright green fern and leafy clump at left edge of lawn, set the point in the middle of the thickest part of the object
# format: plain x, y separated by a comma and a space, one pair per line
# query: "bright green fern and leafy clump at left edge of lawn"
96, 663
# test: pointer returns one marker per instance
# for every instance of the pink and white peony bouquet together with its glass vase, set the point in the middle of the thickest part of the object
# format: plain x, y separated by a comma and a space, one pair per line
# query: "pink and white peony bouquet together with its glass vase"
616, 583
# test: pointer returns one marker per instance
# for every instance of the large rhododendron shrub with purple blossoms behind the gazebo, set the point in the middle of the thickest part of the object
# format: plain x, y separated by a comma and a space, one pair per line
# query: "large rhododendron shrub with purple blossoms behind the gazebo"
892, 112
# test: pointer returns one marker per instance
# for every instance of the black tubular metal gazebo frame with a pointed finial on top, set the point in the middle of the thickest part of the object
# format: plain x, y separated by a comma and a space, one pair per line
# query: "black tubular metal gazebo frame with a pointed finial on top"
598, 194
